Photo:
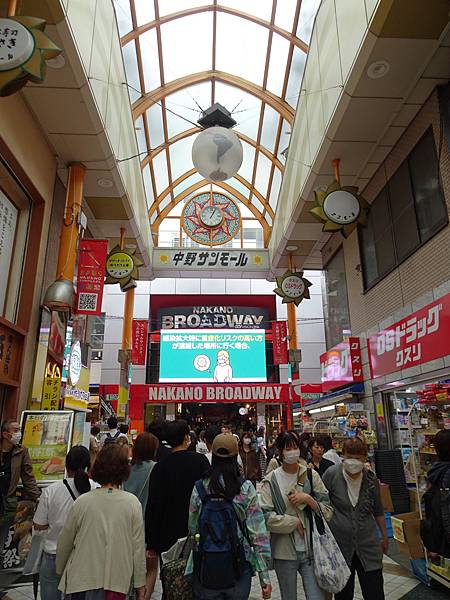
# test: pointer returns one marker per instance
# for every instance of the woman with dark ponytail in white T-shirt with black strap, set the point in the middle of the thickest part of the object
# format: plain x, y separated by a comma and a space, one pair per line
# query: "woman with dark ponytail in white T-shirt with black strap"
54, 505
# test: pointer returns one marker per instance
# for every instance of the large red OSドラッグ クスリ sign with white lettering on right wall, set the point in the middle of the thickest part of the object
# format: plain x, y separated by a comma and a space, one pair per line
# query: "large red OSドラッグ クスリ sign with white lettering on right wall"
422, 336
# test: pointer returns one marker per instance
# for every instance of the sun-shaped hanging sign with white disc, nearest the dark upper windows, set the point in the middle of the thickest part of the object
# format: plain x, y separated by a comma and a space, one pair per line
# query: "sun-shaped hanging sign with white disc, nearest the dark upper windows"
340, 209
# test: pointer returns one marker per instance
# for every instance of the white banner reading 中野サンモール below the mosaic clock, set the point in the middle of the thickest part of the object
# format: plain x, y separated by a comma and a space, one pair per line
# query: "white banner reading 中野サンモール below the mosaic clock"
193, 259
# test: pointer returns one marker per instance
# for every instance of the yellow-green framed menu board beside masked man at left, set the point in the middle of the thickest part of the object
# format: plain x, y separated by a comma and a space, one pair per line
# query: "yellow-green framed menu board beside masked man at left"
47, 435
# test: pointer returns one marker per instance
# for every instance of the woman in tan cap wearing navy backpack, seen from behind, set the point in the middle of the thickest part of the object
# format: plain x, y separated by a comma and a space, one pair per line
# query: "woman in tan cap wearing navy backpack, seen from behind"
227, 524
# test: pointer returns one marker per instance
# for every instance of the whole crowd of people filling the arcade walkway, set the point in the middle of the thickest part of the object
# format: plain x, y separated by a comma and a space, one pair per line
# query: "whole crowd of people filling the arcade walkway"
243, 509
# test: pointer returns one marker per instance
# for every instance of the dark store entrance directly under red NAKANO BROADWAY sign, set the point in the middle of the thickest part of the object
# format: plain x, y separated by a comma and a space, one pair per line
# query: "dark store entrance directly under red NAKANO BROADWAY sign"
240, 416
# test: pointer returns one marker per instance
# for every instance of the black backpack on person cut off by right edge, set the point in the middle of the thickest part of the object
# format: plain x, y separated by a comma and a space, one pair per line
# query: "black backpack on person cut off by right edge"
435, 528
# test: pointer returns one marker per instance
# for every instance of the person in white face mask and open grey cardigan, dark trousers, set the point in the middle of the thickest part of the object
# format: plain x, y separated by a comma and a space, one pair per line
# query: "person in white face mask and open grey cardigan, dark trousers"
358, 512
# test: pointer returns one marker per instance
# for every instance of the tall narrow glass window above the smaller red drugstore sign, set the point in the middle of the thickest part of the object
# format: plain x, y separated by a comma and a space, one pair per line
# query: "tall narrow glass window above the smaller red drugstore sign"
337, 315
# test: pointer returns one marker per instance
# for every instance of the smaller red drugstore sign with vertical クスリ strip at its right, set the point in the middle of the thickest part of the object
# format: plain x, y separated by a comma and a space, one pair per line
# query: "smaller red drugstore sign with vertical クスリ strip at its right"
342, 365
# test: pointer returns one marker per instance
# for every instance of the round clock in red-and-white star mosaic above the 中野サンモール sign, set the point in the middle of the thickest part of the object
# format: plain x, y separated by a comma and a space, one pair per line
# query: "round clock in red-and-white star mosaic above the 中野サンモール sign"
211, 218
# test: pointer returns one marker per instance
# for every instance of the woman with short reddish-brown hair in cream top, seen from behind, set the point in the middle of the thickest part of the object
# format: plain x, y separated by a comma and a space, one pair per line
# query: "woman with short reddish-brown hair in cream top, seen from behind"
101, 548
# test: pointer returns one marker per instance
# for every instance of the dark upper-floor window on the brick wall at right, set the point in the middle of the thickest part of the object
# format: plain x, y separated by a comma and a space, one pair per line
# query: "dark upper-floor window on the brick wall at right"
408, 211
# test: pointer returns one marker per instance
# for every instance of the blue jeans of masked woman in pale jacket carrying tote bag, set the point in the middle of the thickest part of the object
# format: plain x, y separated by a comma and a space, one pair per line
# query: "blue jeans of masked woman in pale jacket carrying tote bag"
287, 570
